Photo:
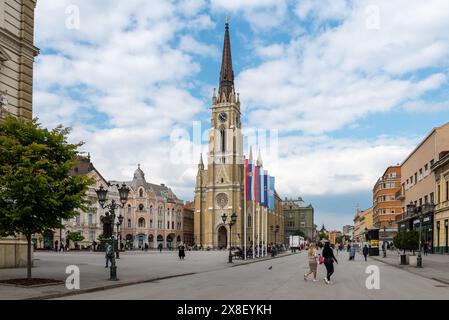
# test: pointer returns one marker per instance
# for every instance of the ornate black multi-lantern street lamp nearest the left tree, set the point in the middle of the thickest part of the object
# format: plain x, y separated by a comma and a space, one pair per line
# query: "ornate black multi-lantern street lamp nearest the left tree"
102, 194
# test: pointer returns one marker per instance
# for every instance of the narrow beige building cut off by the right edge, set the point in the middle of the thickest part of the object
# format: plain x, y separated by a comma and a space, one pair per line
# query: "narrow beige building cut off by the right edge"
441, 218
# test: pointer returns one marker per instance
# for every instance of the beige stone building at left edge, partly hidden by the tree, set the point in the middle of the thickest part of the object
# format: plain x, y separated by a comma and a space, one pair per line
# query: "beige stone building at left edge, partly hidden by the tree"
17, 54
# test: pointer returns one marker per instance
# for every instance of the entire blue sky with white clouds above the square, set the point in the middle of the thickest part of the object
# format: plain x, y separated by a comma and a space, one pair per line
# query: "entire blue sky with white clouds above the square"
347, 87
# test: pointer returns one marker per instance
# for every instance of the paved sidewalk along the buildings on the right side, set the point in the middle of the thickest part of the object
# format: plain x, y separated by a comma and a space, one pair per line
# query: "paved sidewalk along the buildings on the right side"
435, 266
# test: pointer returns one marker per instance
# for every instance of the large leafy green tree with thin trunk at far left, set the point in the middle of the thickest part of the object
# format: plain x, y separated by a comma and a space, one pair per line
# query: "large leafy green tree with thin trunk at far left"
36, 190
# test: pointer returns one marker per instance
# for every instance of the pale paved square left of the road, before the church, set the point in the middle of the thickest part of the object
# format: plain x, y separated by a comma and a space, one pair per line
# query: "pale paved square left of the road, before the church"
132, 268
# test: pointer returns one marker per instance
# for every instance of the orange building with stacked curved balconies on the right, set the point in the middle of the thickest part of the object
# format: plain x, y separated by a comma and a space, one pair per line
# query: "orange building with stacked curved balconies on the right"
386, 208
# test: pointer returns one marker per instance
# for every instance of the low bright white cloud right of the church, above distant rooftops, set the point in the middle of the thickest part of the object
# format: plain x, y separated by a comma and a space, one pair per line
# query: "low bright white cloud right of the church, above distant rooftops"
323, 165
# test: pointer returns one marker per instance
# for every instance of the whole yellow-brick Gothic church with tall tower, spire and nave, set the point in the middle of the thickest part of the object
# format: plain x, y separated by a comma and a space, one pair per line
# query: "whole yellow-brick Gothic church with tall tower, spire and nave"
220, 187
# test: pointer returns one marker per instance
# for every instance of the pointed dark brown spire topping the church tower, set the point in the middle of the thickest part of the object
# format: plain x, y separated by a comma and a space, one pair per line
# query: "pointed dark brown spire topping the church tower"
226, 74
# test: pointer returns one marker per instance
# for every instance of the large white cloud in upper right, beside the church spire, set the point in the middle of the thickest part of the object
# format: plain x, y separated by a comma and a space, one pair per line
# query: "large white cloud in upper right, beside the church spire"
330, 79
